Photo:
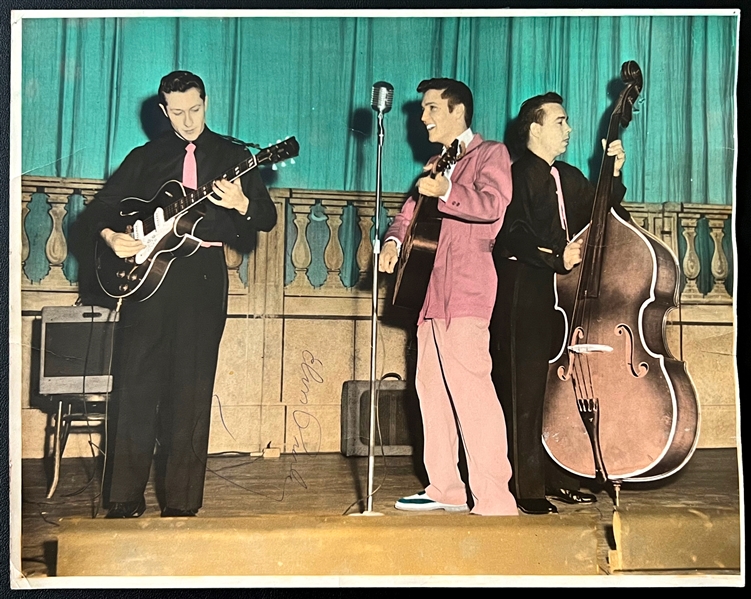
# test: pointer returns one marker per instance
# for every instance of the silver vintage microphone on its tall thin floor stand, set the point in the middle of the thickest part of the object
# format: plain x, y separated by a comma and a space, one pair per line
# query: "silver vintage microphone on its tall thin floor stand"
381, 99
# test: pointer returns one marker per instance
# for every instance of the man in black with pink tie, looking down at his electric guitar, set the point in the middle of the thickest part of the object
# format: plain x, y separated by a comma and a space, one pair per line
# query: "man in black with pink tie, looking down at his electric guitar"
168, 345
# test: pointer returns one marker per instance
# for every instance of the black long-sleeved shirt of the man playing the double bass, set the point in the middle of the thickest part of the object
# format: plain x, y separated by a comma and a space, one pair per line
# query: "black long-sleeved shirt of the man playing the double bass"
532, 219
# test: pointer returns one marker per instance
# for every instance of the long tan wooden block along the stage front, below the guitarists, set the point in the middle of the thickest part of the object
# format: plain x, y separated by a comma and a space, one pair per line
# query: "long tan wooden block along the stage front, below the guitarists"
422, 544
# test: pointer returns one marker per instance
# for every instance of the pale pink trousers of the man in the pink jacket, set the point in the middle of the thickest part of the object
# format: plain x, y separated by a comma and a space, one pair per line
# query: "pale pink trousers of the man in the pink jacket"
453, 375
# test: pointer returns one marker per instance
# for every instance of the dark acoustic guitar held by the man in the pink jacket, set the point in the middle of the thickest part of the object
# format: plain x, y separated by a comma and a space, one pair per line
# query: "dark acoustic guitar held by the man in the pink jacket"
420, 243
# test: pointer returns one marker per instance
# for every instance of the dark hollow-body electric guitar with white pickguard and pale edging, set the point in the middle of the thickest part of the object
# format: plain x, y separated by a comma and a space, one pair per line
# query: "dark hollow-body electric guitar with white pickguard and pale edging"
165, 225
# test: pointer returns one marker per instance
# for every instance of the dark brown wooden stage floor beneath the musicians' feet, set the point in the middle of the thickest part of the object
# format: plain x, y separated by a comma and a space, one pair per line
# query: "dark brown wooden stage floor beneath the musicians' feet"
330, 484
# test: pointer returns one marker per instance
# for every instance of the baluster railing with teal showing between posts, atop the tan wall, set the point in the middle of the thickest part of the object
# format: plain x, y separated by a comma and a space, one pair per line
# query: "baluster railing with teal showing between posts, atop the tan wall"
328, 240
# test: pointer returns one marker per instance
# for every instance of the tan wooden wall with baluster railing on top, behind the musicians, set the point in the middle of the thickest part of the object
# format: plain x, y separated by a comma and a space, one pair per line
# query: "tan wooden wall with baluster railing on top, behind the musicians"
306, 291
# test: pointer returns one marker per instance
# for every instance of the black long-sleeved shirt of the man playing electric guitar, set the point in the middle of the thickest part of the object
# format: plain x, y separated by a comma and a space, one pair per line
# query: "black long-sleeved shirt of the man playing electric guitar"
148, 167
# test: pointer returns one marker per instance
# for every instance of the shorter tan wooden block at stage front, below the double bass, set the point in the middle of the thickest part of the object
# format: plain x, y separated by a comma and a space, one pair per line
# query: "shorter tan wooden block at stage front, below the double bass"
665, 538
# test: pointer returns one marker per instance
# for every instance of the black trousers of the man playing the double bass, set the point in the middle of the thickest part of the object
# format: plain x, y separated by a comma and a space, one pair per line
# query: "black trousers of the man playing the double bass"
522, 330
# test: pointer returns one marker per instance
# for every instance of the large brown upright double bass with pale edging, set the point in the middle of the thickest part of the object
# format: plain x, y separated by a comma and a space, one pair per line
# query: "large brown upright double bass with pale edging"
618, 406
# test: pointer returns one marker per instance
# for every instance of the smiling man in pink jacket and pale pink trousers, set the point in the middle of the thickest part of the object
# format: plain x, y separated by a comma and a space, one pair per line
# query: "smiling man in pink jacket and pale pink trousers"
453, 381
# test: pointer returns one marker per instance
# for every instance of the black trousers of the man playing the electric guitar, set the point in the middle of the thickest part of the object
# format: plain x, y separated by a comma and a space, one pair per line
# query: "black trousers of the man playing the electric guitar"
165, 364
